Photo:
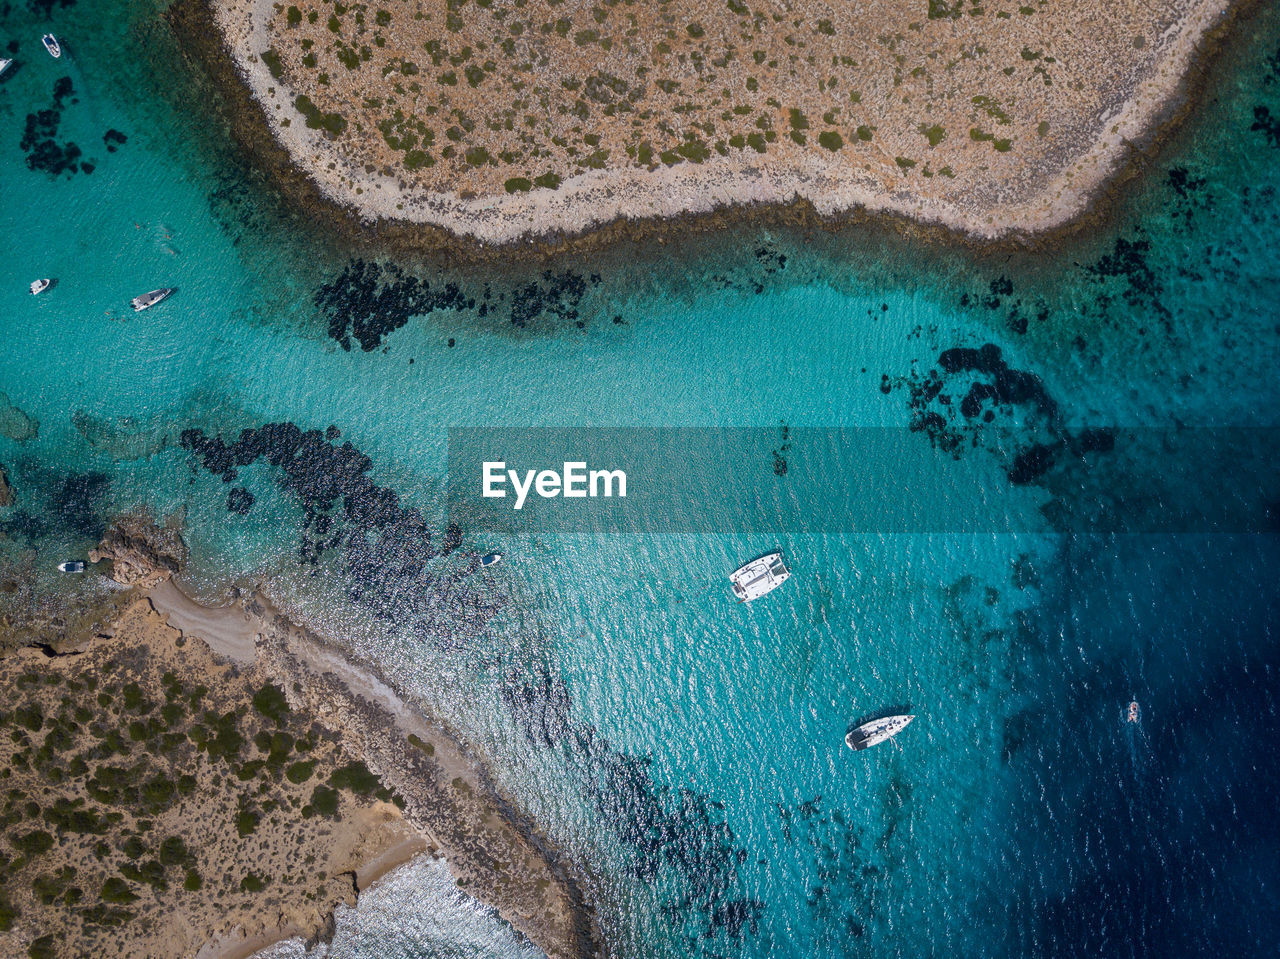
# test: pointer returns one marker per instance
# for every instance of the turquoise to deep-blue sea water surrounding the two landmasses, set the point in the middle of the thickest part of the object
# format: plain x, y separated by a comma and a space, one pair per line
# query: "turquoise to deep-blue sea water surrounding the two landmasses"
689, 750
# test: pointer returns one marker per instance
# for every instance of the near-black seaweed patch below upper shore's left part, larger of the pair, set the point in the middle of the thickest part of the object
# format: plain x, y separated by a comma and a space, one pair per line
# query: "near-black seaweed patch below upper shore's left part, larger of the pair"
369, 302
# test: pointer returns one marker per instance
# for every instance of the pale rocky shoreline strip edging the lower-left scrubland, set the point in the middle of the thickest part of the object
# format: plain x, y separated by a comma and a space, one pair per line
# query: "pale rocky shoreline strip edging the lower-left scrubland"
450, 798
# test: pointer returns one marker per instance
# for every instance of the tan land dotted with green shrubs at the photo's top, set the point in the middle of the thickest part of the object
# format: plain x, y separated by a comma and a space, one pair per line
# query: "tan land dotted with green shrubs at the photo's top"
477, 113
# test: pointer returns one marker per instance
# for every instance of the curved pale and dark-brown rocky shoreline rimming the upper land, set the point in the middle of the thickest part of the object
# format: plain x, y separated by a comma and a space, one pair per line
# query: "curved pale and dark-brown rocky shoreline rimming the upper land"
720, 197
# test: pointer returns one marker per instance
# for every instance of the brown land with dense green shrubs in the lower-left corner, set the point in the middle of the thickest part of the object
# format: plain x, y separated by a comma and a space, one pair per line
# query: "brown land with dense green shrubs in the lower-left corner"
153, 798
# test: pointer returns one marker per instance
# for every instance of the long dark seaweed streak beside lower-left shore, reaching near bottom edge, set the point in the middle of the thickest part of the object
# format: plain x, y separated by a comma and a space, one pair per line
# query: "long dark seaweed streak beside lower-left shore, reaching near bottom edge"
680, 833
